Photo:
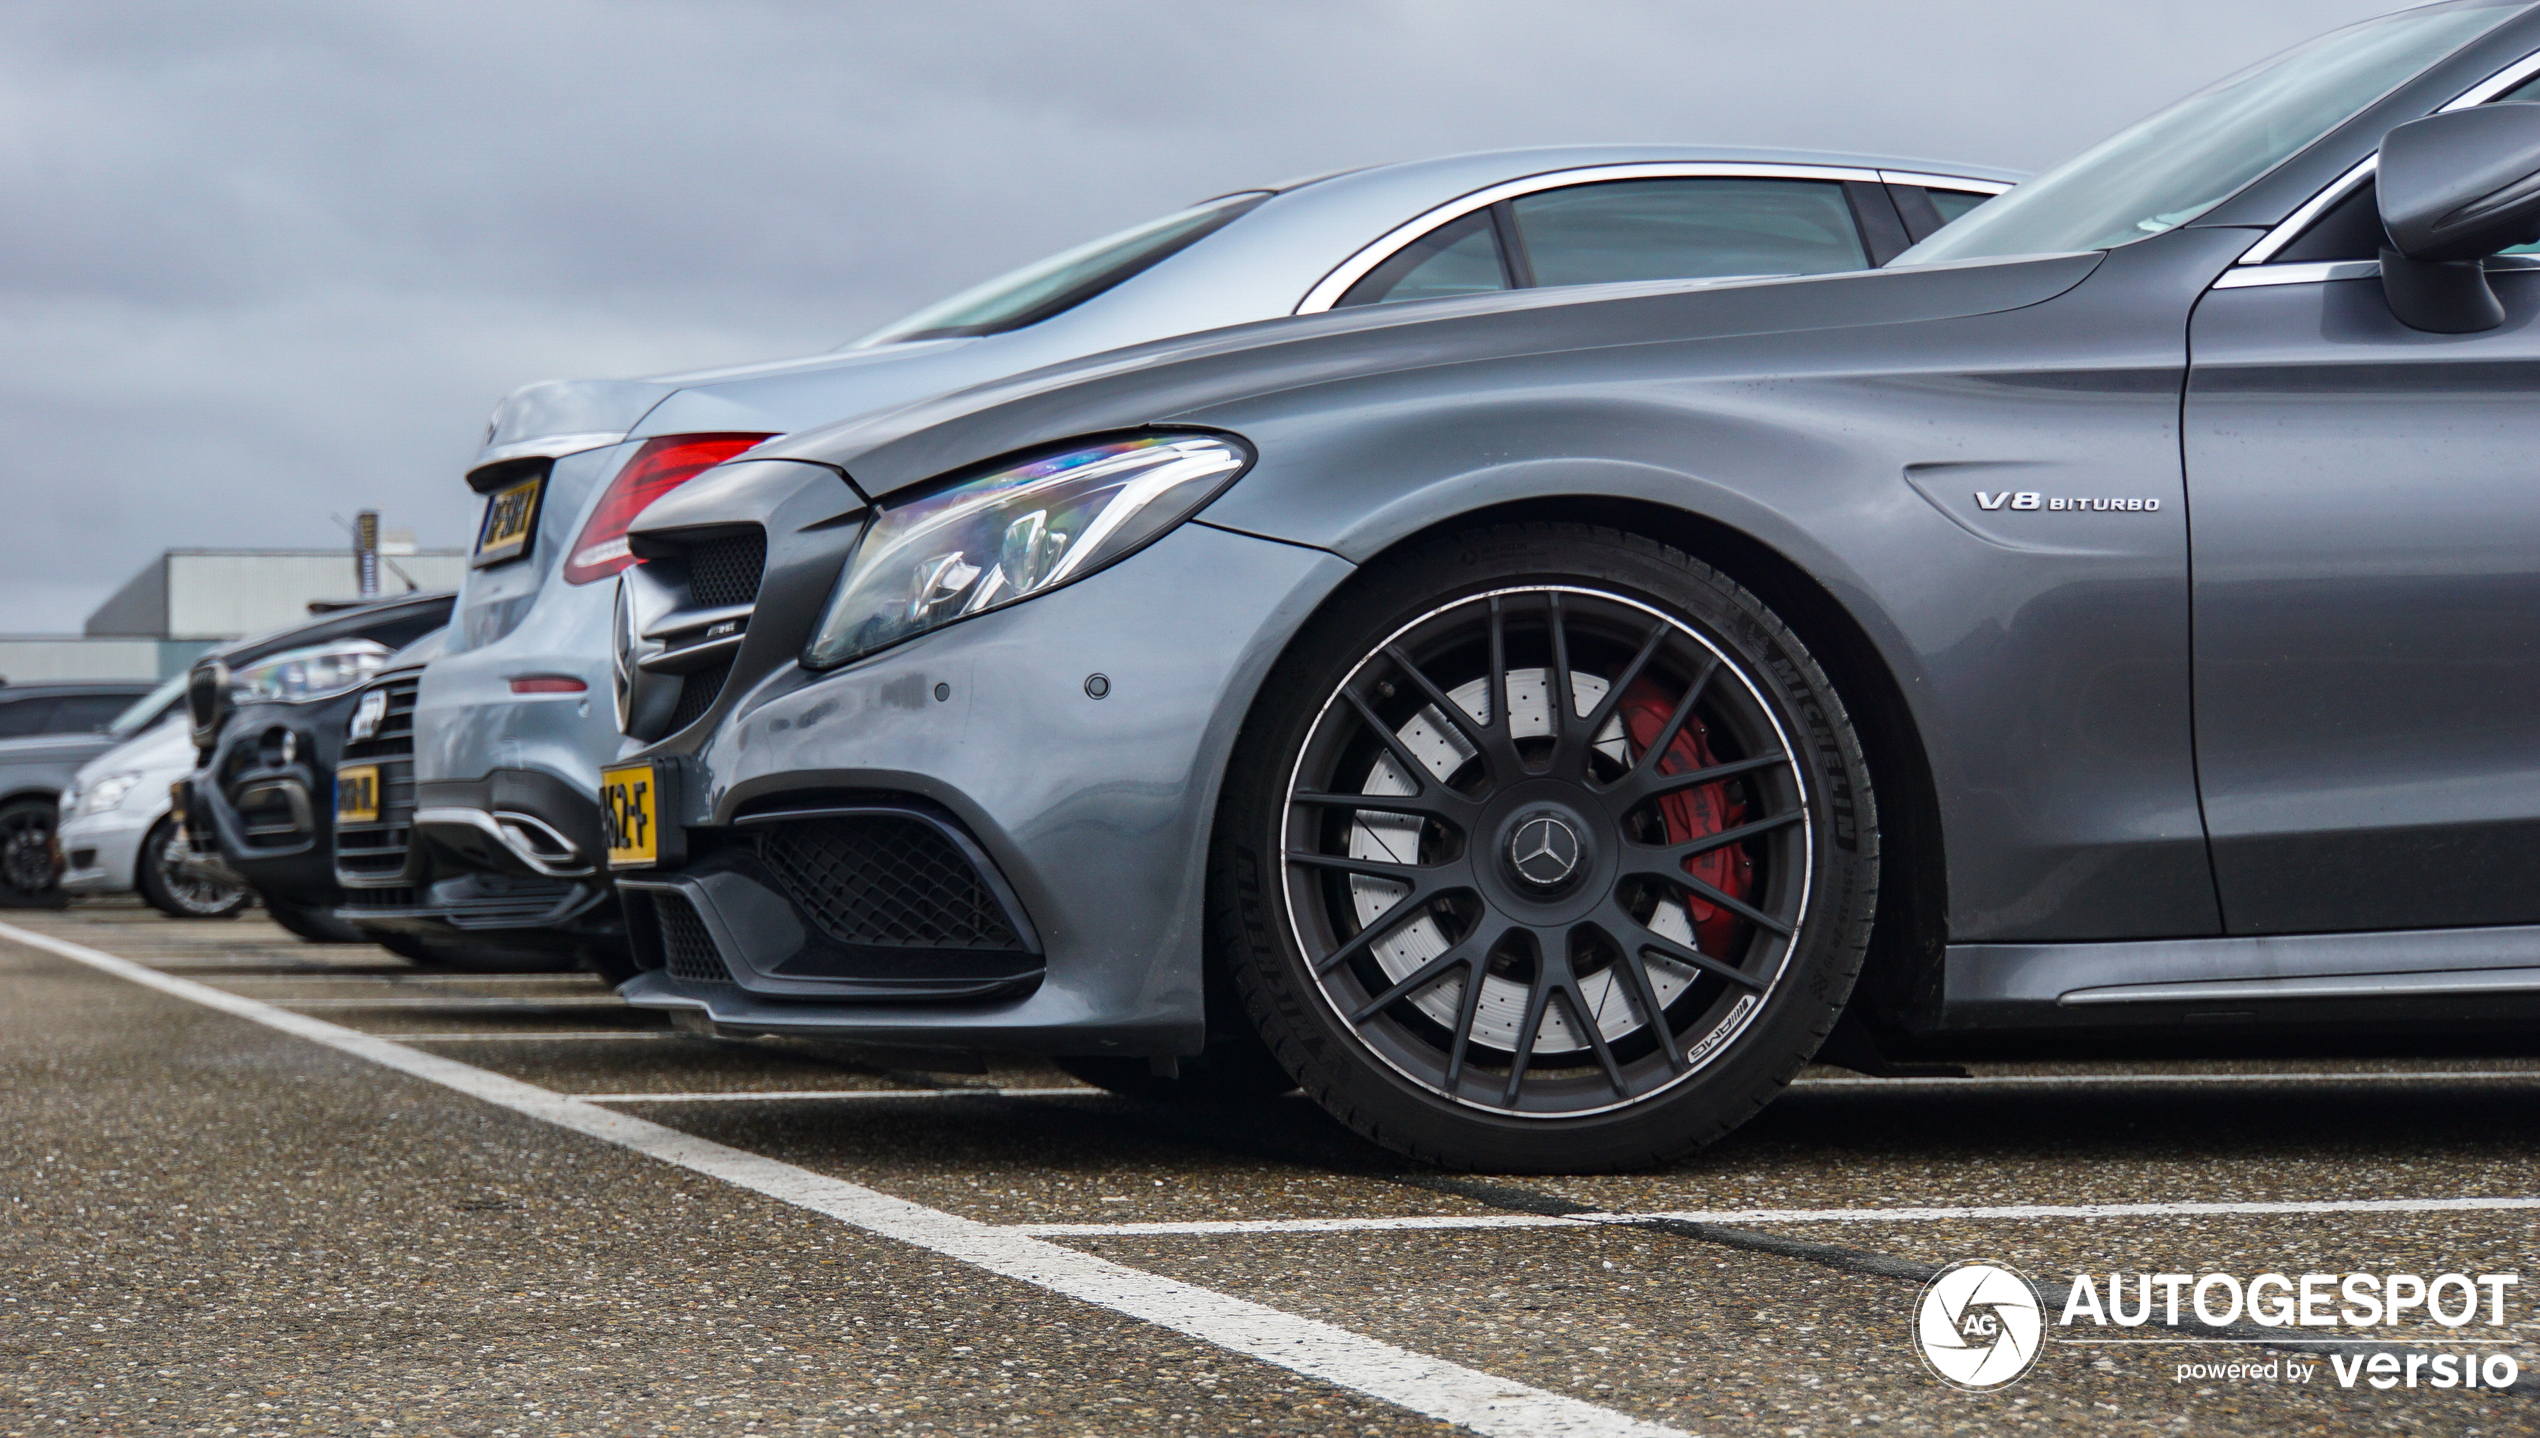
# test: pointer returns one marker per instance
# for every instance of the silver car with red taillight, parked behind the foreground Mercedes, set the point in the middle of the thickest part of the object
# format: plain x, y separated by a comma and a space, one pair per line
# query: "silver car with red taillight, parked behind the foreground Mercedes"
512, 725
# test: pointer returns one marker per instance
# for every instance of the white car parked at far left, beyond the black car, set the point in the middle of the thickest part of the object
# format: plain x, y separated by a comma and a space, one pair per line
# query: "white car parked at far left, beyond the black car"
118, 832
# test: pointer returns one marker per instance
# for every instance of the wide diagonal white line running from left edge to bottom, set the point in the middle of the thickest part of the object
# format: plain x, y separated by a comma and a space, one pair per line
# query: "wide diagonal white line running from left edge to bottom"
1426, 1386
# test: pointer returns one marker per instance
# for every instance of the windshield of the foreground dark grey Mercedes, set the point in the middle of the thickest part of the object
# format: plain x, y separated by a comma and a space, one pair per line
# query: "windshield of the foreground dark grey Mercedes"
2196, 154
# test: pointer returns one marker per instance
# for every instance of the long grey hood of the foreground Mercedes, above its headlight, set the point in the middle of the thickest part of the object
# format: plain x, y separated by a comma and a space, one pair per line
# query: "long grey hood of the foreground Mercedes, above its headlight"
1187, 377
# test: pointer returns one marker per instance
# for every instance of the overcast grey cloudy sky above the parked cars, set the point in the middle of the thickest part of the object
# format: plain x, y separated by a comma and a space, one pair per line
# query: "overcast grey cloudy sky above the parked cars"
265, 263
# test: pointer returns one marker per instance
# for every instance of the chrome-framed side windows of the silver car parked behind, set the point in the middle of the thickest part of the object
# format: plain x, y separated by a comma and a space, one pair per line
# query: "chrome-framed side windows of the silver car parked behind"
1660, 227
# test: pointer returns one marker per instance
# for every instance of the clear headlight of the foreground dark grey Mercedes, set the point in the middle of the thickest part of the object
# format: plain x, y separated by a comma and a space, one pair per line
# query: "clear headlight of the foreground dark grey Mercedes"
1025, 530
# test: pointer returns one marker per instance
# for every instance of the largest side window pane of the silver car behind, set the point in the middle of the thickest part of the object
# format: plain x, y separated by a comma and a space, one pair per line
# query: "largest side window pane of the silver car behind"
1688, 230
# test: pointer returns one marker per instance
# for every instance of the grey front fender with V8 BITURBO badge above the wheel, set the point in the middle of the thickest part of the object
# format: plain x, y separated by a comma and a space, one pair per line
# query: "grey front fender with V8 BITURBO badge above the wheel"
2043, 654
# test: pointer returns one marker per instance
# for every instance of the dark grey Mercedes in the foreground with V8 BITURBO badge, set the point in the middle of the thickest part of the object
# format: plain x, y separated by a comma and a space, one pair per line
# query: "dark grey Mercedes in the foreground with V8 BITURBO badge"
1535, 723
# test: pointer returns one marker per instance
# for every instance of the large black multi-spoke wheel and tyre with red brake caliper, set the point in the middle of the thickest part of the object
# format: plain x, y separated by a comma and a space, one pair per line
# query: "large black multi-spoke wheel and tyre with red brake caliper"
1568, 865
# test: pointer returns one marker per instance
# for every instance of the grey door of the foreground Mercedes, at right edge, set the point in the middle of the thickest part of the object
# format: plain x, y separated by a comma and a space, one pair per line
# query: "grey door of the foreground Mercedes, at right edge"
2366, 530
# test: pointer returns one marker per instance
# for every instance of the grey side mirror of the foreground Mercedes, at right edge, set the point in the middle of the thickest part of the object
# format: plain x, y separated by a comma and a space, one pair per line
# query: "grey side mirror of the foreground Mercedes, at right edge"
2452, 192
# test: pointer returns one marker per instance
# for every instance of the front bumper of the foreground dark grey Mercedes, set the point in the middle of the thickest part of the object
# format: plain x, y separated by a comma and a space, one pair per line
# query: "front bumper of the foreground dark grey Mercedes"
1091, 814
